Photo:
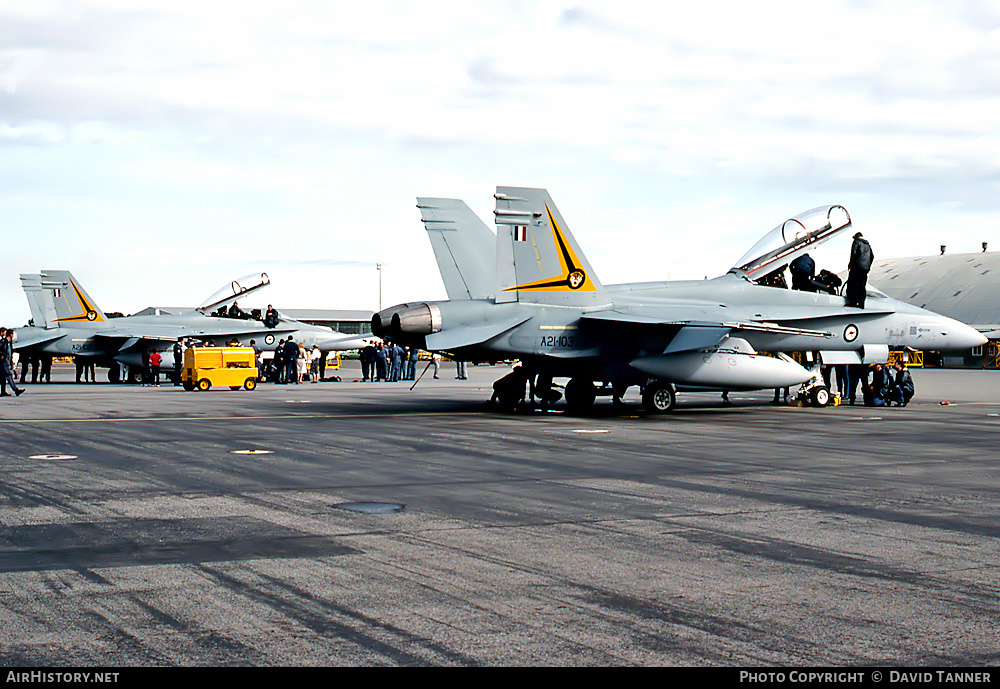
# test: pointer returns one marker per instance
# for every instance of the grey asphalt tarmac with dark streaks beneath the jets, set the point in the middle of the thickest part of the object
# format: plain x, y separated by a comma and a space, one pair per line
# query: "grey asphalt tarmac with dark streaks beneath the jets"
365, 524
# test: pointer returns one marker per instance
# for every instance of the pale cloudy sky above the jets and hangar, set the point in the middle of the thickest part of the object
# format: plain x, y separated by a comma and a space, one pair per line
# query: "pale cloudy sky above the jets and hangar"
160, 150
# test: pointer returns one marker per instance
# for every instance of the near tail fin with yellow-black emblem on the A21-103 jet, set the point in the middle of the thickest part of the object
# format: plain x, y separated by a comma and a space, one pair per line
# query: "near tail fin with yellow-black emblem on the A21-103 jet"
538, 259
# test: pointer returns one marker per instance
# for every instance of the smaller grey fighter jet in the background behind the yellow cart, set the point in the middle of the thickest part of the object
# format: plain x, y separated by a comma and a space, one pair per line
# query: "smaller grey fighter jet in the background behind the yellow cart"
68, 322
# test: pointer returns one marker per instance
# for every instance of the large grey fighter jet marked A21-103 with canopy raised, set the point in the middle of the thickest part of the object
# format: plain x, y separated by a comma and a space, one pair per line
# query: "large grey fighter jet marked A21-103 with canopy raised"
548, 309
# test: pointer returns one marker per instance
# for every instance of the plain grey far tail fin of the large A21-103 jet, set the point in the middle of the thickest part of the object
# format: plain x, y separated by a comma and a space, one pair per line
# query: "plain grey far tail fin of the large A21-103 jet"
463, 246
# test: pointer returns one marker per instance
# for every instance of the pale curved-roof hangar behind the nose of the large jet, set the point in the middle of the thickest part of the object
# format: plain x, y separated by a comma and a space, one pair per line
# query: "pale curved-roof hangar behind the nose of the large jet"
961, 286
